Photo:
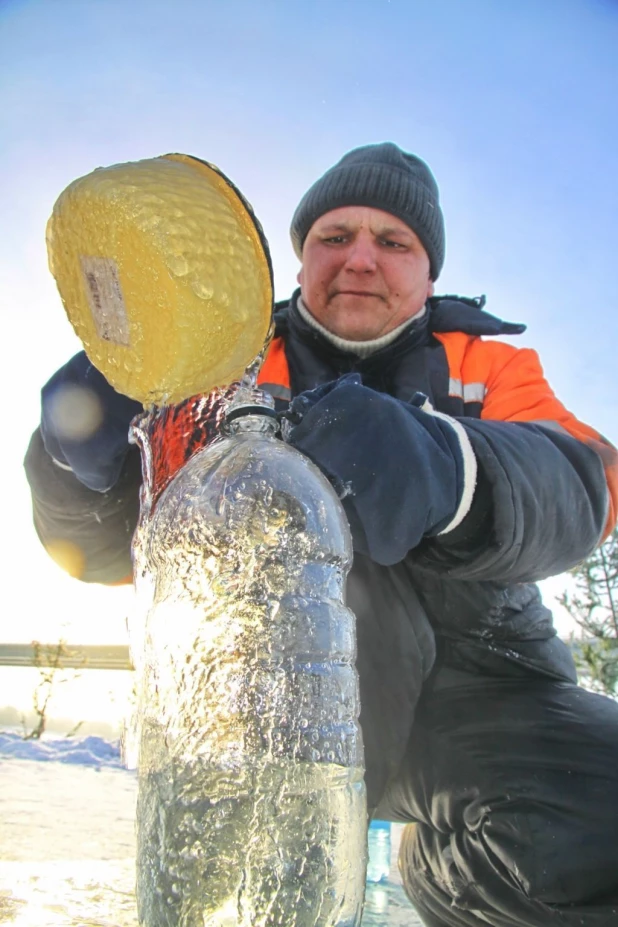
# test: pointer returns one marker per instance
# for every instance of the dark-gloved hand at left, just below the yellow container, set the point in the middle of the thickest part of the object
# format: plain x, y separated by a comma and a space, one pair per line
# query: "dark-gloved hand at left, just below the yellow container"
85, 423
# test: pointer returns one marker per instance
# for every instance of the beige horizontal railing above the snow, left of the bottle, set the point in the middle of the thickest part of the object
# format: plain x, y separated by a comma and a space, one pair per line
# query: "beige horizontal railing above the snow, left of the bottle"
66, 656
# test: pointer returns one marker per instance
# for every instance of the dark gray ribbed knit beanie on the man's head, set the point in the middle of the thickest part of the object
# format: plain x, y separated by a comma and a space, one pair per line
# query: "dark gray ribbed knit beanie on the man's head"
384, 177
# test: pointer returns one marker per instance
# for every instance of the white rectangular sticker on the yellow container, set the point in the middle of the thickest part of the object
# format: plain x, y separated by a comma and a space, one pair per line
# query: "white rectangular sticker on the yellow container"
105, 299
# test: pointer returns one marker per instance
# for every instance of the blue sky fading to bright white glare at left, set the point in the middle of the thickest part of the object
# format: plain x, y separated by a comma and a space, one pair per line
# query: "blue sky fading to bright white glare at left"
511, 102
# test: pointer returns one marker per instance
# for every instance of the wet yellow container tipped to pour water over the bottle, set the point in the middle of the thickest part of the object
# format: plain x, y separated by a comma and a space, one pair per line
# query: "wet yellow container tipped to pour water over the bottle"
165, 275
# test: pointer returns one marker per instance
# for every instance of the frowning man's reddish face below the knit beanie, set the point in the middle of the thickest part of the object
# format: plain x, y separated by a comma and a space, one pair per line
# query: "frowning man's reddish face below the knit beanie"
364, 272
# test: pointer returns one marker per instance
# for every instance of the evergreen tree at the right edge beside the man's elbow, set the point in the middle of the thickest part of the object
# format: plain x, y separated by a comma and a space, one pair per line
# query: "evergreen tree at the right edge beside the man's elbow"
593, 605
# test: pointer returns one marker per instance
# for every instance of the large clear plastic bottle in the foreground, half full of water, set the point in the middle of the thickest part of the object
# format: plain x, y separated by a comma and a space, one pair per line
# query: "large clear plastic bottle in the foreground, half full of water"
252, 809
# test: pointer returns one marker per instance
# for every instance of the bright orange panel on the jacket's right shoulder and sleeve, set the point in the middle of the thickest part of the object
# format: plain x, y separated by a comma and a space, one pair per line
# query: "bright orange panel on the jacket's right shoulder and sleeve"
517, 391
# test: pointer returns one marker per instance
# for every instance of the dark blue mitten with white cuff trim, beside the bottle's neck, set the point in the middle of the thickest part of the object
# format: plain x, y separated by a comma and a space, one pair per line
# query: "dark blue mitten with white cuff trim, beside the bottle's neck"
402, 471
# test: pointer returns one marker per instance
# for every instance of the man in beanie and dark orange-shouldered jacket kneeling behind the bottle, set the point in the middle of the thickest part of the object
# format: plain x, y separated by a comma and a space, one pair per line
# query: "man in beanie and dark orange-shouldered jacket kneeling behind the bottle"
464, 481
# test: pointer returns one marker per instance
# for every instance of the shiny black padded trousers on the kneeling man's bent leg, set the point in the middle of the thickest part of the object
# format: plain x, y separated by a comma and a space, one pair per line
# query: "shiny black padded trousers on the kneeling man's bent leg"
514, 788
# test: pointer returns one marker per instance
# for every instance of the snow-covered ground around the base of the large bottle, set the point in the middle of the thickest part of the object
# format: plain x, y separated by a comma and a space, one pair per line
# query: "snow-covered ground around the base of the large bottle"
67, 845
